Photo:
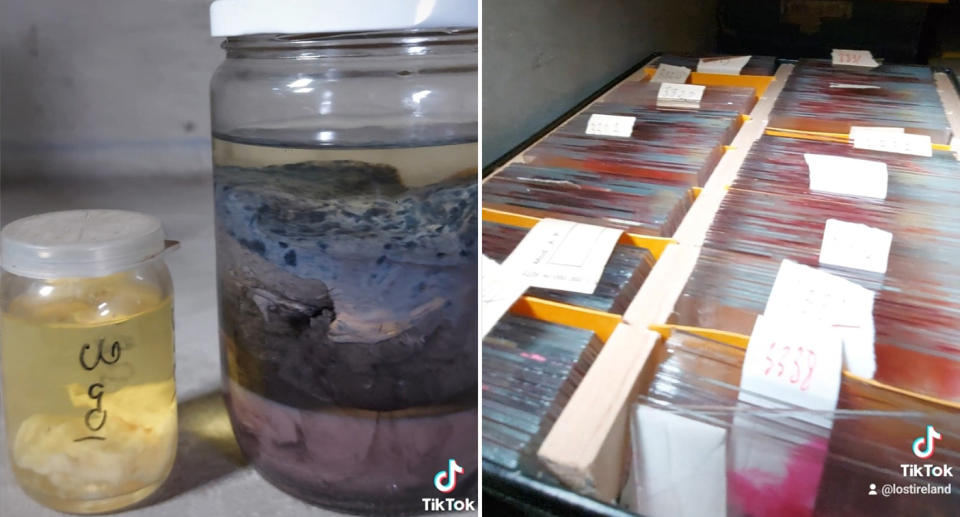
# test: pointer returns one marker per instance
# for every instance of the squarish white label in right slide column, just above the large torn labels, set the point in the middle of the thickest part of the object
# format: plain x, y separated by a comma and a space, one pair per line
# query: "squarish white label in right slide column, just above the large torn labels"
856, 246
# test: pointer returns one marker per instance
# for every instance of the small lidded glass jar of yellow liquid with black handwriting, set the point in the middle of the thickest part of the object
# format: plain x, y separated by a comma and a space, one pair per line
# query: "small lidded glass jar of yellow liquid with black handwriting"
86, 344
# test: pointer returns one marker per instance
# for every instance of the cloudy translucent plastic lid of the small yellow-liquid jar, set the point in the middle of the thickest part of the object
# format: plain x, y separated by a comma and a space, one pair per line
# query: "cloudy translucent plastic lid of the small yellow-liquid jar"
79, 243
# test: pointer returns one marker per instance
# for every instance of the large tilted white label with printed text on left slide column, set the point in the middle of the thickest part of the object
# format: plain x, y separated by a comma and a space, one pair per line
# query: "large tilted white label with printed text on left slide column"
563, 255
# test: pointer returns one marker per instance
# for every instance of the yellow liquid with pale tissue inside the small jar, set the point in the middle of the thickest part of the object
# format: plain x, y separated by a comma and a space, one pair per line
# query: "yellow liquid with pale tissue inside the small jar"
89, 393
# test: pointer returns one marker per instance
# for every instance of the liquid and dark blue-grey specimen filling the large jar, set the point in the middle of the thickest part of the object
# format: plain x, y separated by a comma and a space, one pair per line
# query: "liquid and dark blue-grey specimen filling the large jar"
347, 284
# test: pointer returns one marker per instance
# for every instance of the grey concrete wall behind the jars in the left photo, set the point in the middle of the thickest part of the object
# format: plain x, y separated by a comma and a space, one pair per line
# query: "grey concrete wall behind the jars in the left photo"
105, 87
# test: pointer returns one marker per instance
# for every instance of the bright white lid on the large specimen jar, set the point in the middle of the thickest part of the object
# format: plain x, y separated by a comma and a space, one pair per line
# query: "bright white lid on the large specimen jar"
240, 17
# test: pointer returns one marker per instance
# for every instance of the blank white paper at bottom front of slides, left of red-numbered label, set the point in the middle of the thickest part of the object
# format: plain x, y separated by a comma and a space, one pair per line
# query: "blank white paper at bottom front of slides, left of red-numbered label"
677, 456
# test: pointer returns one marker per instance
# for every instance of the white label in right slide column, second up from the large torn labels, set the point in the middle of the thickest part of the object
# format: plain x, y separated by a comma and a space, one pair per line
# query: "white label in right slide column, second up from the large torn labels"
847, 176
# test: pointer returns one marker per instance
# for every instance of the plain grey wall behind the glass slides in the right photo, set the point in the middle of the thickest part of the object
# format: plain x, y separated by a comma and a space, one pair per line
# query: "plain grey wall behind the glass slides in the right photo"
541, 57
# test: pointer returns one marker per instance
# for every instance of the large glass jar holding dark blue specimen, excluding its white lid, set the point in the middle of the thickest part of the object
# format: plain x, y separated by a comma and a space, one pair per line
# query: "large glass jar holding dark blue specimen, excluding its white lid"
345, 186
